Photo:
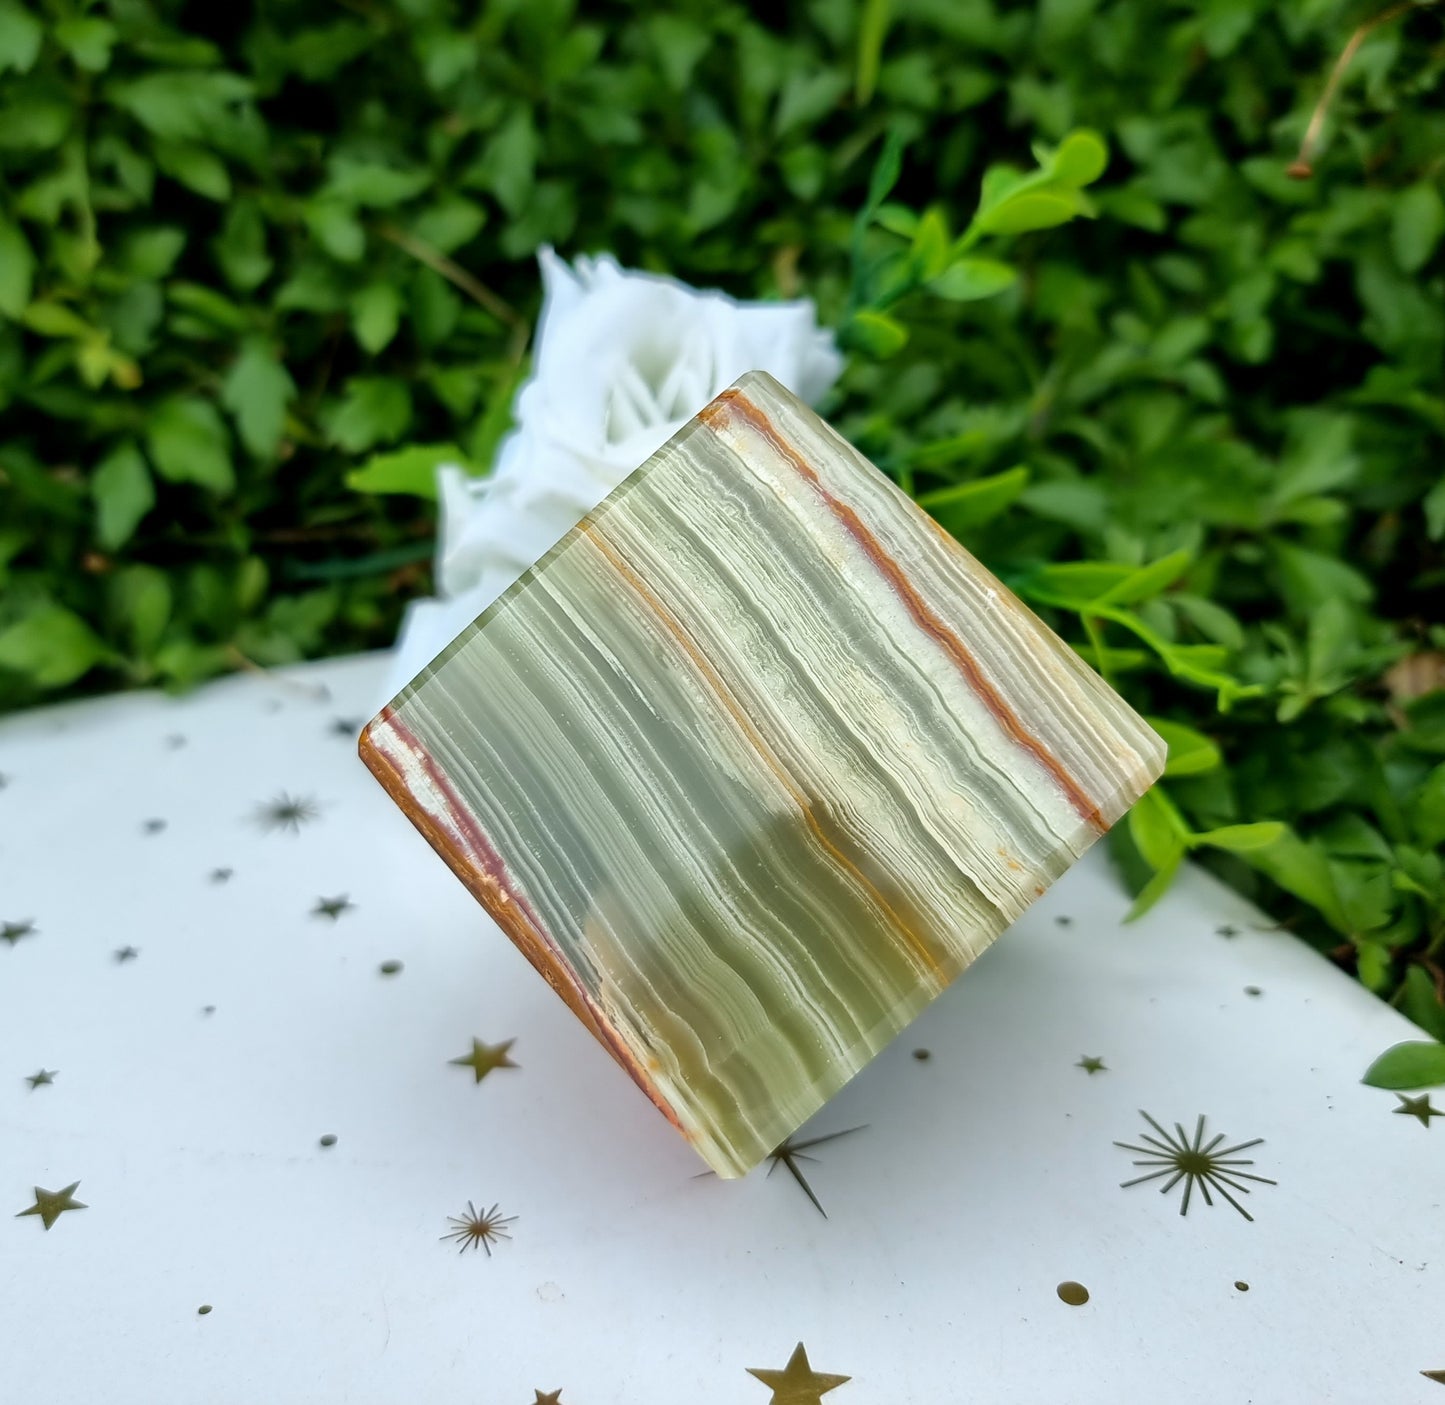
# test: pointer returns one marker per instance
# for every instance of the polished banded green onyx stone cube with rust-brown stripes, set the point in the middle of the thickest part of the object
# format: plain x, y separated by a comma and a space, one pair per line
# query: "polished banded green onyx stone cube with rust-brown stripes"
754, 764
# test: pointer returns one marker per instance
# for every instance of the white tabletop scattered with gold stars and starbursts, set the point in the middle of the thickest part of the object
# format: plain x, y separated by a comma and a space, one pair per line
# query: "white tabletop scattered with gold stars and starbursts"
986, 1176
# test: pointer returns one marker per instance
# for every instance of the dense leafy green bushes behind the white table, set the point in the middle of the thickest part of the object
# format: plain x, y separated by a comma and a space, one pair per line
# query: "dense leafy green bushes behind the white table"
255, 258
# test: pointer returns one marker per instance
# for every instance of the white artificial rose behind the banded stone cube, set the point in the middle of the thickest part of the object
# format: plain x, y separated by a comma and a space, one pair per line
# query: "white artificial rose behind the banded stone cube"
622, 362
